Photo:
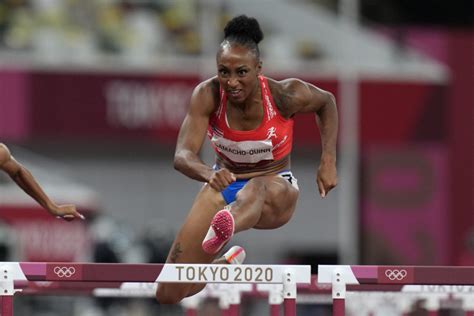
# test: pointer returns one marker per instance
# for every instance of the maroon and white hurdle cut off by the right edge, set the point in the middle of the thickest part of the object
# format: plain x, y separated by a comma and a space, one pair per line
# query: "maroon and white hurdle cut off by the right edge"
339, 276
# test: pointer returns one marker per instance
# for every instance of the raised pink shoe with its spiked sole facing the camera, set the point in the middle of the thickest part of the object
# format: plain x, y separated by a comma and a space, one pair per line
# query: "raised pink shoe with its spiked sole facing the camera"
220, 232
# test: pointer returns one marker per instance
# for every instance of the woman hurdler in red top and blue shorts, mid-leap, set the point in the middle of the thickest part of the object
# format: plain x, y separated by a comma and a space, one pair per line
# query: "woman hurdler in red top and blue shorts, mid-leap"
249, 120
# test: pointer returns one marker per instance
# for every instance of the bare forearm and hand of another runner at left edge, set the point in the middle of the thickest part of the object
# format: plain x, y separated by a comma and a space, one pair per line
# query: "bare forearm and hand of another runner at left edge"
27, 183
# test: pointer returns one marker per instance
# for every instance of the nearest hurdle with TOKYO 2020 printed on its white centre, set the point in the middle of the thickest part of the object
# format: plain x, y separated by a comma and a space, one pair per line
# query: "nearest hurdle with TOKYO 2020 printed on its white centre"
288, 275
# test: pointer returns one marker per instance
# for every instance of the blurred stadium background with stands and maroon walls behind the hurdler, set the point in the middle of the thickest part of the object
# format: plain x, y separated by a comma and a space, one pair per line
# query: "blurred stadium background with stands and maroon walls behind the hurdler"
92, 94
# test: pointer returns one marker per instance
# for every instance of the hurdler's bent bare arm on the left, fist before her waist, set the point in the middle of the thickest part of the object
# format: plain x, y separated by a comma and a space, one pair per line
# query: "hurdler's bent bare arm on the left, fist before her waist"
191, 137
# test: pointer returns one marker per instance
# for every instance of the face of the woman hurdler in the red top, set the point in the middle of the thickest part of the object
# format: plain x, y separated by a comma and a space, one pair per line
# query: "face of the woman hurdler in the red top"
238, 69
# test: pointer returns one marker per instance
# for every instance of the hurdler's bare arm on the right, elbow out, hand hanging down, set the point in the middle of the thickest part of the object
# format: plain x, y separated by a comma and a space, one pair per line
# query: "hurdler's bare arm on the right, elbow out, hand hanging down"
309, 98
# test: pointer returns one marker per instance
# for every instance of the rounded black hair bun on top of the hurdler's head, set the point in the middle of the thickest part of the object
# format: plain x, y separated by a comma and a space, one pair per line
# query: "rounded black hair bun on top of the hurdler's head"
243, 26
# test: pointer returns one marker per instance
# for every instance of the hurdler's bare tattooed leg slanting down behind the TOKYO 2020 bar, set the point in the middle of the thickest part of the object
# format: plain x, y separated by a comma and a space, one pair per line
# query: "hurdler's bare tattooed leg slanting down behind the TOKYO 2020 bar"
187, 244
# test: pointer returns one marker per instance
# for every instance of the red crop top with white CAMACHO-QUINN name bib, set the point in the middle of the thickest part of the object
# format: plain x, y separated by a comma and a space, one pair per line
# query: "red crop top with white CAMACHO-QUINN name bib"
272, 140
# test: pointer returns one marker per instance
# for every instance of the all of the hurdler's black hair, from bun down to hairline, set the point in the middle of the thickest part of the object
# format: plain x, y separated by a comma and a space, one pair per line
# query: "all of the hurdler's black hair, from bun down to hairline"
245, 31
